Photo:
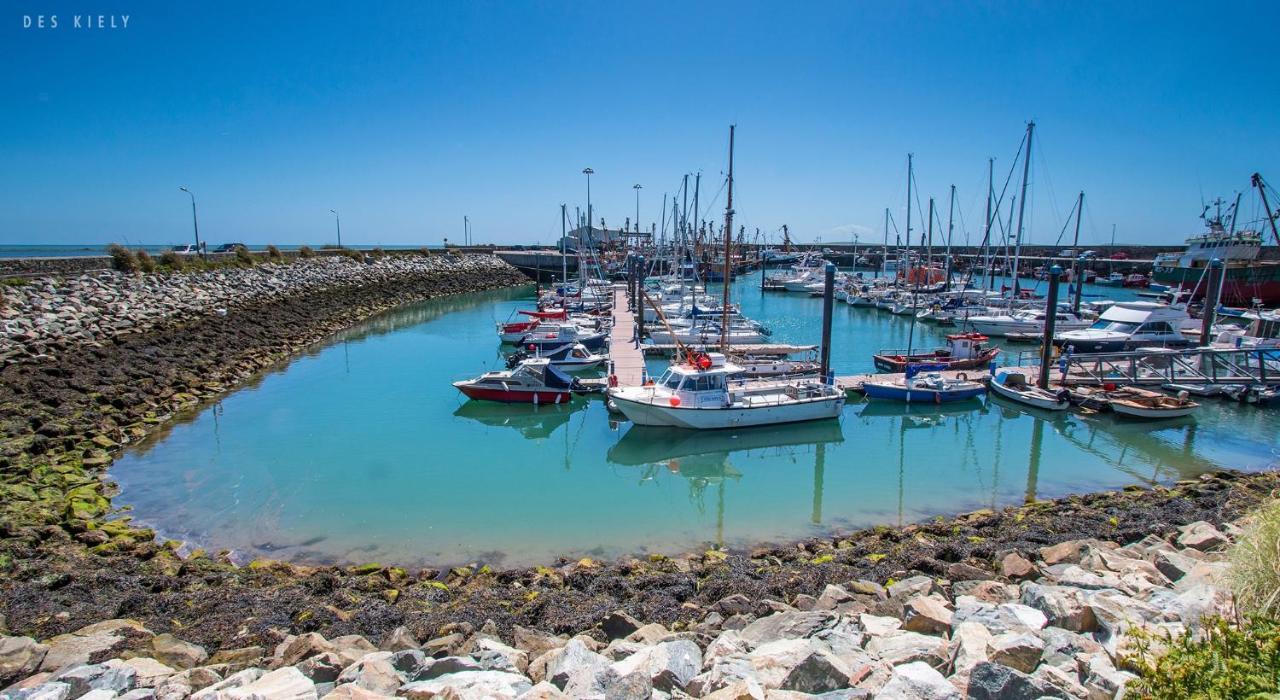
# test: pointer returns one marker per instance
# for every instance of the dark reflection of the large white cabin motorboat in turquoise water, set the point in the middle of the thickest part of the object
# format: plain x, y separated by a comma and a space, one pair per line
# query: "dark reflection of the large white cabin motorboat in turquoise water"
703, 456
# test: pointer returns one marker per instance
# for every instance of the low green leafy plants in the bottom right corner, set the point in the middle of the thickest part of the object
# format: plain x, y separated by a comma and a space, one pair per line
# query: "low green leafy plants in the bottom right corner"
1229, 662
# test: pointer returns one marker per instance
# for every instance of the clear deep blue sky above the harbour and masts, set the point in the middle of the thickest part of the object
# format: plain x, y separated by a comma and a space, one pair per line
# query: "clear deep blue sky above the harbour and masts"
406, 117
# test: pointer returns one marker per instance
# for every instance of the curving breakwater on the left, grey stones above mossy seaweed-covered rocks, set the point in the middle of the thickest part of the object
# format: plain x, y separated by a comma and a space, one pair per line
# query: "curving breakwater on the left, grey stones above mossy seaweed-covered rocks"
98, 362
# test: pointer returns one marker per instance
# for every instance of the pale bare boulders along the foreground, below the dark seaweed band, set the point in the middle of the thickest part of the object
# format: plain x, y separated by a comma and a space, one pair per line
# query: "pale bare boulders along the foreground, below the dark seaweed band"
1055, 623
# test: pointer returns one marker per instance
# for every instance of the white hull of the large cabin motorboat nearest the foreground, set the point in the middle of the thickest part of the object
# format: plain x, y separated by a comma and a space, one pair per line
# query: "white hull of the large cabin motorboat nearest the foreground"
720, 419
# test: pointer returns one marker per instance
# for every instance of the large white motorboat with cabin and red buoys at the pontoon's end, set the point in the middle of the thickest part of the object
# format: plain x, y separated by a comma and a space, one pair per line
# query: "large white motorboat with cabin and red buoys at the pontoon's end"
705, 395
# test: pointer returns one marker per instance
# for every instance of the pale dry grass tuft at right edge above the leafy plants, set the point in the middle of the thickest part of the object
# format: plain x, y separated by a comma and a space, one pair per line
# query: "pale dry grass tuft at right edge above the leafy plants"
1256, 562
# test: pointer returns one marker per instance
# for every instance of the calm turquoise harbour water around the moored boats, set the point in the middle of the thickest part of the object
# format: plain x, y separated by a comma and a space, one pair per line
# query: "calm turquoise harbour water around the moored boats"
363, 451
